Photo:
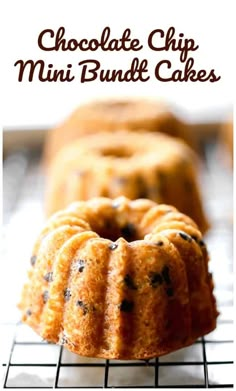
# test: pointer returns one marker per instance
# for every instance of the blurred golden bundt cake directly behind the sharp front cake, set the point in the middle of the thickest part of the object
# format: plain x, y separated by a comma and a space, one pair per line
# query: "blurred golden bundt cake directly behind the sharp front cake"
142, 165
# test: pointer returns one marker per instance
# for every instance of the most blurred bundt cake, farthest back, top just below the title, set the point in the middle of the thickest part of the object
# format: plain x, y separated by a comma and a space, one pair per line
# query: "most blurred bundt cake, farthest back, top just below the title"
111, 115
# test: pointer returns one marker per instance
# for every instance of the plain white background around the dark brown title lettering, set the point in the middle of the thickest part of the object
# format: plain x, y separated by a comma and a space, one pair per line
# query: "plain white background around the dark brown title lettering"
210, 23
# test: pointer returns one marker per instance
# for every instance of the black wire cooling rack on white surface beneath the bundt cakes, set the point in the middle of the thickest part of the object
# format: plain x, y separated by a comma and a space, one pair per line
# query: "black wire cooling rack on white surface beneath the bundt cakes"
29, 362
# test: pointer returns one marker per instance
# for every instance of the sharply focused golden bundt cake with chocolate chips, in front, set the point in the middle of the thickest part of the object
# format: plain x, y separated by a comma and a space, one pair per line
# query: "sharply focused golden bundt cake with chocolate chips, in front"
120, 279
